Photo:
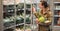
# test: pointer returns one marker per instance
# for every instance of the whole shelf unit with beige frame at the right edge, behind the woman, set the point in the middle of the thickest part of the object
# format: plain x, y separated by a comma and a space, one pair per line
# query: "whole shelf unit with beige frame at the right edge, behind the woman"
56, 17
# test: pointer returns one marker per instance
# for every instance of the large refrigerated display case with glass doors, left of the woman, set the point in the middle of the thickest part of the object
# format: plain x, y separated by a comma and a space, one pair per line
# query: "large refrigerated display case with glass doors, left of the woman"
18, 16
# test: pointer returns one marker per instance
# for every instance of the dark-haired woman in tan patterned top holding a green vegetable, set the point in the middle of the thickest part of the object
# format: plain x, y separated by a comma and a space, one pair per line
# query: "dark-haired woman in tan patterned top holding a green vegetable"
45, 11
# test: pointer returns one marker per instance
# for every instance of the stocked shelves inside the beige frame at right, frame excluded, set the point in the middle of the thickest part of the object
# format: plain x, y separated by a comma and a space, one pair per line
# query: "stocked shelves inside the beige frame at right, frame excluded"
57, 13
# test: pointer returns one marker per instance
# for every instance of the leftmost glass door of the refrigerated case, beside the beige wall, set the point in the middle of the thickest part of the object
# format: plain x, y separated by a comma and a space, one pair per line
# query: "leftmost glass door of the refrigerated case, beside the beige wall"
9, 15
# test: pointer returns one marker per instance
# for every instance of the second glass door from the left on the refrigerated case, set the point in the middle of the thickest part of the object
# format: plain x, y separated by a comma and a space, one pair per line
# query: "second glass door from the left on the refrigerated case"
20, 15
